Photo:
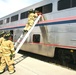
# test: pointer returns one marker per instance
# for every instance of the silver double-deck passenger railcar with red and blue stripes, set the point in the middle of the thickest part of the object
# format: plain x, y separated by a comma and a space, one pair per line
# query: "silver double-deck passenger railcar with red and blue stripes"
54, 37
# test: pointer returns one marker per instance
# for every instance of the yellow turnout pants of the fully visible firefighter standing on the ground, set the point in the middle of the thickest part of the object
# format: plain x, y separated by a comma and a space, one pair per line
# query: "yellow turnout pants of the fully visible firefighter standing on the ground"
5, 60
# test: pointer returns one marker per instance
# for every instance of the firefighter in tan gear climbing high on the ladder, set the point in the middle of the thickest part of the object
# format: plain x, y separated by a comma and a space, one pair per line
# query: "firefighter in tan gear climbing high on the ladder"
31, 18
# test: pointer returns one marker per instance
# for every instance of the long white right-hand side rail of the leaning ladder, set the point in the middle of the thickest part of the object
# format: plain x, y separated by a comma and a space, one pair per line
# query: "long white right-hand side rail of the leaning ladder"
27, 34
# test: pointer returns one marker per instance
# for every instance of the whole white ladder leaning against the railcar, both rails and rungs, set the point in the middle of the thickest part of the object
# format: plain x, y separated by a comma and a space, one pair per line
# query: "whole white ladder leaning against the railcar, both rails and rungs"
24, 36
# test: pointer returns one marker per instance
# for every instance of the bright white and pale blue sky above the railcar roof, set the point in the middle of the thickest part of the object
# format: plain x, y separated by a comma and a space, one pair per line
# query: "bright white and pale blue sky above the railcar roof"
10, 6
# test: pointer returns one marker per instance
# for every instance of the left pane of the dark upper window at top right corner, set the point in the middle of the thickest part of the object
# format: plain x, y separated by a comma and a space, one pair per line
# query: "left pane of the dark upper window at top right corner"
63, 4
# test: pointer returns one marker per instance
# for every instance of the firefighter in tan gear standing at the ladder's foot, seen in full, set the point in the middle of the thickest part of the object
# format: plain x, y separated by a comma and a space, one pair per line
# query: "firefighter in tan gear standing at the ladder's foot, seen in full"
8, 53
